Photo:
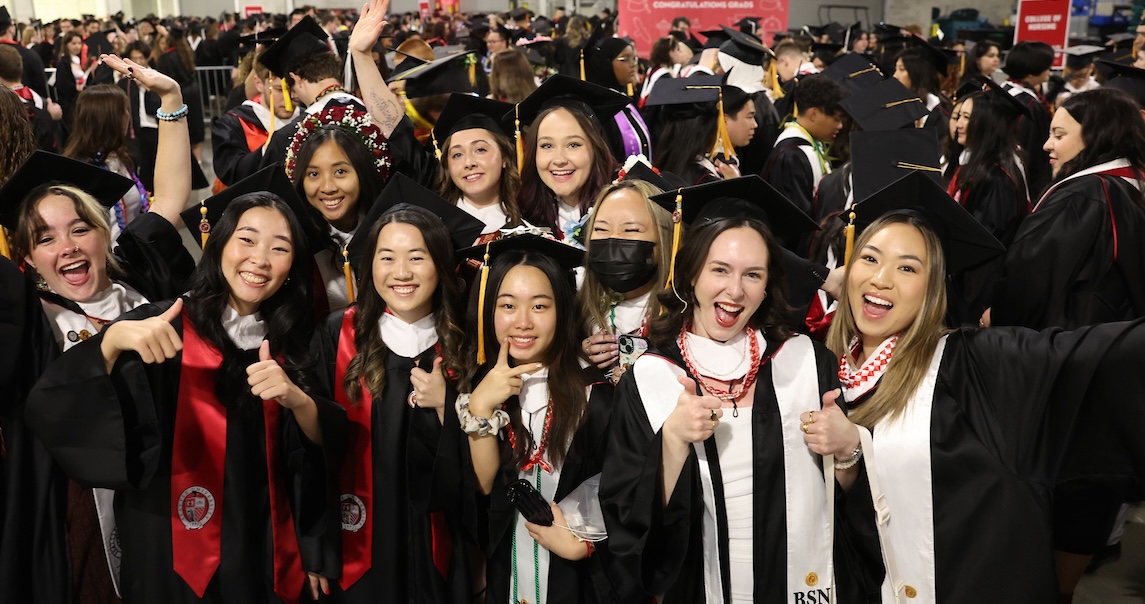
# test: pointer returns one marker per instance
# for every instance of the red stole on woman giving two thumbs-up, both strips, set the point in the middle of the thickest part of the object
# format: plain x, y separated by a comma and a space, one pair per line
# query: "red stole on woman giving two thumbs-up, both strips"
198, 474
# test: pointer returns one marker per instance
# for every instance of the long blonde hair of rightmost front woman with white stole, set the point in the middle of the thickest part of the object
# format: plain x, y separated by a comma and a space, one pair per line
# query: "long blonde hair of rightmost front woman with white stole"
917, 346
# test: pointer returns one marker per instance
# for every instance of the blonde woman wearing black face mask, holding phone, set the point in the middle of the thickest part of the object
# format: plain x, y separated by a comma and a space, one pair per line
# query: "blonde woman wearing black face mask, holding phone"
628, 242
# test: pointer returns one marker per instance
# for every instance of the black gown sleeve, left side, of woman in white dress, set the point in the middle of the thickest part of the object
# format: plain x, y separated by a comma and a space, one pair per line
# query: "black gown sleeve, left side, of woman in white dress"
652, 542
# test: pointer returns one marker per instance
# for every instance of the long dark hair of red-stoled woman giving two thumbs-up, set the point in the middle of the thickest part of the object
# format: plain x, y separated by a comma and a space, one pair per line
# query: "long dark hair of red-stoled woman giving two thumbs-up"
289, 314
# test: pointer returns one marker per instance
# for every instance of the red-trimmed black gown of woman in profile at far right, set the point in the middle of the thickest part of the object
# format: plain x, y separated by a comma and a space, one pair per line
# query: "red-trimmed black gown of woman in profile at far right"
1061, 269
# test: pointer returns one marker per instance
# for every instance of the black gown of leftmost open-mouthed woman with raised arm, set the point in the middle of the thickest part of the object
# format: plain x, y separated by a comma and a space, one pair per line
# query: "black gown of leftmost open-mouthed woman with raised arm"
35, 562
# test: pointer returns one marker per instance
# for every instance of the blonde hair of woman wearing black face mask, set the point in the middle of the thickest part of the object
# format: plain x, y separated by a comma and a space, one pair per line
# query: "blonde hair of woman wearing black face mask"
595, 297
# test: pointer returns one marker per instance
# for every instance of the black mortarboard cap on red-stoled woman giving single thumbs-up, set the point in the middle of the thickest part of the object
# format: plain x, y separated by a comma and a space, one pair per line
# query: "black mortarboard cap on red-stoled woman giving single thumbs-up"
400, 192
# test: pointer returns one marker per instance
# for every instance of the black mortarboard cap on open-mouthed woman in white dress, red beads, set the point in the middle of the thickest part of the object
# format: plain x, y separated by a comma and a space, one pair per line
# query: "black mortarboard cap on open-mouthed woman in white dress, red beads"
747, 197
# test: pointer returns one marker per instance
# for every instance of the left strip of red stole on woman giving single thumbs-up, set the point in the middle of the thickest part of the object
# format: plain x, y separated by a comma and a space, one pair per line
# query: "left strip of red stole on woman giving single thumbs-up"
357, 480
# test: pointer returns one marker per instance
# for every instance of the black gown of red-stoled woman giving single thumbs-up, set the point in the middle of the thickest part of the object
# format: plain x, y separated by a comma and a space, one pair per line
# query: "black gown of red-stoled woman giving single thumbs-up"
418, 470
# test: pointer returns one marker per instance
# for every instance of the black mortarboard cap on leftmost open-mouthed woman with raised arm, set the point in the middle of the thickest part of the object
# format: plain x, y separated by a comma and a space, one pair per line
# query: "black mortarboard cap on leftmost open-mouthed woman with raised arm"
42, 169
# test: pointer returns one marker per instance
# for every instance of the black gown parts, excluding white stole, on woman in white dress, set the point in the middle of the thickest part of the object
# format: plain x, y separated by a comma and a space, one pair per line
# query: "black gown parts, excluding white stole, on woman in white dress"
664, 545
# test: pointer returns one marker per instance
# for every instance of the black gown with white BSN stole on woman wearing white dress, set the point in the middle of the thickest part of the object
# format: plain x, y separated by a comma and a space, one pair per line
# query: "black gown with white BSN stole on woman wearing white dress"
668, 546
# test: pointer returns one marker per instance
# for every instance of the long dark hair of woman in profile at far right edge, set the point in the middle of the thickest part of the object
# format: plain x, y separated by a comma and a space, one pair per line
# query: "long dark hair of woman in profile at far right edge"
1111, 128
